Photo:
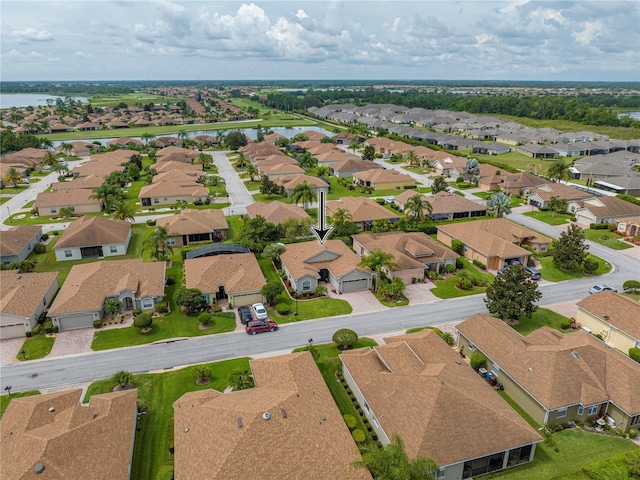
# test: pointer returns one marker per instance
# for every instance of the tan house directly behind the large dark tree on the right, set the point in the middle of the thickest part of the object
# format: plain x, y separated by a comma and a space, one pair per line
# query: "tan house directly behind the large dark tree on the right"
495, 243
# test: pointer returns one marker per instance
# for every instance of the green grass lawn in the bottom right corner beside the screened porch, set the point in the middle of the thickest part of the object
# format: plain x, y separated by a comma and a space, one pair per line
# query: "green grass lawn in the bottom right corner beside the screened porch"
576, 449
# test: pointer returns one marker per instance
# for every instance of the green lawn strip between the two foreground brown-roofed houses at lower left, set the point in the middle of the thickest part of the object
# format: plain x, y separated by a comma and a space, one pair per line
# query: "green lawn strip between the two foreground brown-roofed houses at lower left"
159, 392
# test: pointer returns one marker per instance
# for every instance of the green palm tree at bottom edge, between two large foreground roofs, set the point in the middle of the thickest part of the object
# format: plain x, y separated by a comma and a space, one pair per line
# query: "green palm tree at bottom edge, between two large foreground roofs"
391, 463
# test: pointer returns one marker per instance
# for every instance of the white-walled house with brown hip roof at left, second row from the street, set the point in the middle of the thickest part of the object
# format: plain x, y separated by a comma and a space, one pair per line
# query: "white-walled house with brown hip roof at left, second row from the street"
93, 237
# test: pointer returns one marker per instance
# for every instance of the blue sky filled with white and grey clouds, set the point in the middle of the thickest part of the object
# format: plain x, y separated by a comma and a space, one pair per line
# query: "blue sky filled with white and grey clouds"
348, 39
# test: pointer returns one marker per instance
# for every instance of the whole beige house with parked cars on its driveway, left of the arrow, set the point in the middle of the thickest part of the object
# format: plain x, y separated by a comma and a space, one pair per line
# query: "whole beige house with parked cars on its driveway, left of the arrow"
236, 277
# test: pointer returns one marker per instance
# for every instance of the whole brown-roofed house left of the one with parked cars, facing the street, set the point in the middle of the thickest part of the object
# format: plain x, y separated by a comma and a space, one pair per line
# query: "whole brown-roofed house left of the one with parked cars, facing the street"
135, 284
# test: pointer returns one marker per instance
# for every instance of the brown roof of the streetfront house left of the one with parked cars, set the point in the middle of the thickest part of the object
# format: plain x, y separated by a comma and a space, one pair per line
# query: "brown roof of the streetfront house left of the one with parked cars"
89, 284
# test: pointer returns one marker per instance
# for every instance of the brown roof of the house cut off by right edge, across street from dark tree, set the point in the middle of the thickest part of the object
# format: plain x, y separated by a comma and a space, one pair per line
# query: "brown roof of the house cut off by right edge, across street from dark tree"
623, 312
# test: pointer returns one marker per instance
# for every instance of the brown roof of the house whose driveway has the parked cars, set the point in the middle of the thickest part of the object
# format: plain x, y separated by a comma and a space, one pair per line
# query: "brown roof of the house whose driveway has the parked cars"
238, 272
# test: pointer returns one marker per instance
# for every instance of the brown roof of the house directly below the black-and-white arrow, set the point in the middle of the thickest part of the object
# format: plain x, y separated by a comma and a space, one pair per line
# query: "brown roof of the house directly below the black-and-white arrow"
307, 258
